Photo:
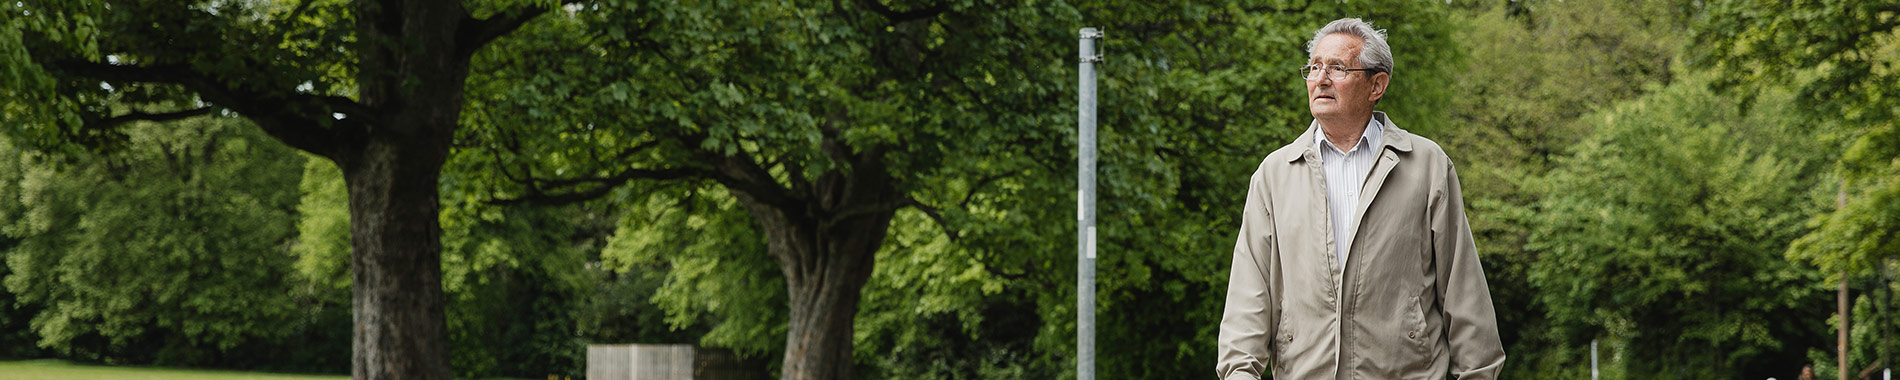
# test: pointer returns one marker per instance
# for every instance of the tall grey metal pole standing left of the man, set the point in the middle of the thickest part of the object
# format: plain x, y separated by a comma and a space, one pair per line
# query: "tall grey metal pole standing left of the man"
1086, 210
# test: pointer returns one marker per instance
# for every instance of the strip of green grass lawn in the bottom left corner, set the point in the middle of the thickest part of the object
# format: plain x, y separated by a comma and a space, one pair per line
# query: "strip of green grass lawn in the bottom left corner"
62, 371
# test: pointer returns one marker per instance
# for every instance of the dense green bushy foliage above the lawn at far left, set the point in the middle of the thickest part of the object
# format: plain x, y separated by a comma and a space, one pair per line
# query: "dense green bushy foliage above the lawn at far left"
170, 252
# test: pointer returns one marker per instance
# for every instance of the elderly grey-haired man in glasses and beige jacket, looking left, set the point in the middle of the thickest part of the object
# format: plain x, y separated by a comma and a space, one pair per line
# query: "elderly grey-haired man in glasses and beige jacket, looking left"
1356, 259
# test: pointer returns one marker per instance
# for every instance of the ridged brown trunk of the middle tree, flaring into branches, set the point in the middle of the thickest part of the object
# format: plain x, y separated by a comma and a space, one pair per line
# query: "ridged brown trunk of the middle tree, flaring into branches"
827, 248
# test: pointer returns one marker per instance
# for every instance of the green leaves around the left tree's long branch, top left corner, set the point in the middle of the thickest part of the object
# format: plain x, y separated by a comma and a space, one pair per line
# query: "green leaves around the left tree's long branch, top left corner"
54, 105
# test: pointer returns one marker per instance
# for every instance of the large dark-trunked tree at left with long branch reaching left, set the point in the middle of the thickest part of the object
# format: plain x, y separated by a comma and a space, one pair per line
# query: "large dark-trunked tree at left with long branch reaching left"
375, 86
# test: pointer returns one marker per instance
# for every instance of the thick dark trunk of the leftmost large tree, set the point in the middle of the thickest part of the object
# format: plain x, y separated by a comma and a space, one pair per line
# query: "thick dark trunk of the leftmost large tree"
411, 73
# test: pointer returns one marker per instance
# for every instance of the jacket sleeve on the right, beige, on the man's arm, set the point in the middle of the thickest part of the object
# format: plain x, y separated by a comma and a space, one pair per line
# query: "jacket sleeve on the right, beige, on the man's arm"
1464, 297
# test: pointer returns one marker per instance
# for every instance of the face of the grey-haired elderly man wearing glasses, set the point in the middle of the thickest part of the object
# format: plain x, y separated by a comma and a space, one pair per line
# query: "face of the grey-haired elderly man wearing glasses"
1350, 98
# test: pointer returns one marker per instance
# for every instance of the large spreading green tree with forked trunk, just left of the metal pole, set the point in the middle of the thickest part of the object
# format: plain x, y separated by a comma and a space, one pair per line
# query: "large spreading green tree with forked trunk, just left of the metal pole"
820, 119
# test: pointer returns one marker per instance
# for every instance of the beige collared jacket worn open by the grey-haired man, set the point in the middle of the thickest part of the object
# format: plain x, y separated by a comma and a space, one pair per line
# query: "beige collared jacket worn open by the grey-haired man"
1415, 303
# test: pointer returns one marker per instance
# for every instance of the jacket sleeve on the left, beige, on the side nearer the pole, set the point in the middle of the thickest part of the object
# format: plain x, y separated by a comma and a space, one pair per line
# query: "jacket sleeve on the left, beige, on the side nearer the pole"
1249, 320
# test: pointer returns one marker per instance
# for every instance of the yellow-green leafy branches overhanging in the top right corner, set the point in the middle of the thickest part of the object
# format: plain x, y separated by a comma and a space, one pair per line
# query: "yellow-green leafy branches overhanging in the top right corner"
1842, 56
